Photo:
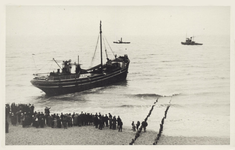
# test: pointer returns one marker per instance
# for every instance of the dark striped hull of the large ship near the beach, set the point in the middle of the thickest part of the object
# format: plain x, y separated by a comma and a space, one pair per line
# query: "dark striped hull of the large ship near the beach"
60, 87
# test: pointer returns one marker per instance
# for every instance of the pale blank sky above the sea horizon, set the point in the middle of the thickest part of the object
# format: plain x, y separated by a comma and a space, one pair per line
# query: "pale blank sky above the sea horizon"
118, 20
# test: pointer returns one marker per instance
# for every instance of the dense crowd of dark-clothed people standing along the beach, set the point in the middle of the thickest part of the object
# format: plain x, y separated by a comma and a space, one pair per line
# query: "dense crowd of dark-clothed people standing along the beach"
25, 115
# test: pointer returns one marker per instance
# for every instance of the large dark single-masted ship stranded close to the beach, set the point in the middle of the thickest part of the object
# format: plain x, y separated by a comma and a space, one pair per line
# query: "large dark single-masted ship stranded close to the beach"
64, 81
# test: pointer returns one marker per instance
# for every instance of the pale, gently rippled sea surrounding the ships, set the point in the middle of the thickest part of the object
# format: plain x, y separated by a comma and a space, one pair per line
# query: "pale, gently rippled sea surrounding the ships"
193, 80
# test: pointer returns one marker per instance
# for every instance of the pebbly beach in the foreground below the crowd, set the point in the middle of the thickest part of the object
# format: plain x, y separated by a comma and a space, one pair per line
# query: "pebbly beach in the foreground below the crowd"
89, 135
